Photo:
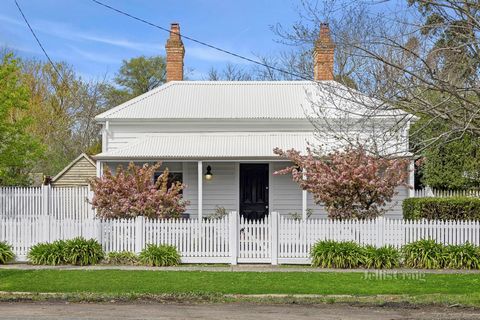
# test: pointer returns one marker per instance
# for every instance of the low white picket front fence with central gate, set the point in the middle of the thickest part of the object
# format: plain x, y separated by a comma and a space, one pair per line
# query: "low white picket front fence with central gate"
232, 239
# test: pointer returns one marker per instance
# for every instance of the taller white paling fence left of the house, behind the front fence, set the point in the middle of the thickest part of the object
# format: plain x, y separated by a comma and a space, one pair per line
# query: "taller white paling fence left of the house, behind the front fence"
59, 202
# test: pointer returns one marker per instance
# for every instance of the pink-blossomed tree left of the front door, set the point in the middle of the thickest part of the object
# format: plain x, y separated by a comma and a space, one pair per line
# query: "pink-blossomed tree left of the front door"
133, 192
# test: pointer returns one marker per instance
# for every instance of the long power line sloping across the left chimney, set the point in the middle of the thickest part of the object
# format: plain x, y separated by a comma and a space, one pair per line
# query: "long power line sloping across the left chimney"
200, 42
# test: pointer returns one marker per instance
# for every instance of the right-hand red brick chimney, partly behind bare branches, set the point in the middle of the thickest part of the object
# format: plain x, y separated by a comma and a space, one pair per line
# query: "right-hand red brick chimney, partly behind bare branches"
323, 55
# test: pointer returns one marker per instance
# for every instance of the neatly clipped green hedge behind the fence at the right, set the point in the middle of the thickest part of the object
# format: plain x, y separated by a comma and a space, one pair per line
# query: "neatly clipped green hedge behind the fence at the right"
454, 208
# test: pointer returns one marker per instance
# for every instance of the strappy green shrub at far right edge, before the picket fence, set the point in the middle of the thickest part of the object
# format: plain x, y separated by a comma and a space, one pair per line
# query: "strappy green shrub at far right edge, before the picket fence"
465, 256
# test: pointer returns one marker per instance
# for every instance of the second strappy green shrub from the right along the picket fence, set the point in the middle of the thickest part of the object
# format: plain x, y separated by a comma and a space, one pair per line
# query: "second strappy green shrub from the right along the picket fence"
424, 254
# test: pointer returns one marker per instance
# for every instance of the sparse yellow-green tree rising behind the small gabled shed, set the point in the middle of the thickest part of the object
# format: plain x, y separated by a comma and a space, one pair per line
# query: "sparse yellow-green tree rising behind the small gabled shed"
62, 108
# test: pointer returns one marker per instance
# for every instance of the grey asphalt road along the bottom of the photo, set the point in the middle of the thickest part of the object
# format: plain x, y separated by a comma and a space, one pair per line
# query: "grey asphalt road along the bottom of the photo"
41, 311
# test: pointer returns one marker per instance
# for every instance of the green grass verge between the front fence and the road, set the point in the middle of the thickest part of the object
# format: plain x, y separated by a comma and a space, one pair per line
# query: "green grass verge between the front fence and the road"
271, 287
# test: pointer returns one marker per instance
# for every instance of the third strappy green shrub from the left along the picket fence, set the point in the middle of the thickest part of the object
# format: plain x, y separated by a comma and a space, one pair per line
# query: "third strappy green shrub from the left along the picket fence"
79, 251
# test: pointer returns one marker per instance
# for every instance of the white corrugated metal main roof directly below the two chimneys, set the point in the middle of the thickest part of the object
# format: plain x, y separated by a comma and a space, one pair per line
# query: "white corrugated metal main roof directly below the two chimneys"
238, 100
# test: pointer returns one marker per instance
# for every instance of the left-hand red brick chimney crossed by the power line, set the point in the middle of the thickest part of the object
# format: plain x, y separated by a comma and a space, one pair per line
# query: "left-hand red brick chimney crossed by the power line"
175, 53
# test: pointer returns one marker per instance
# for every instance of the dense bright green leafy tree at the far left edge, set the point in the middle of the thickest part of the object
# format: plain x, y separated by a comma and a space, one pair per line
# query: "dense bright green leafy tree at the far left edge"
19, 150
